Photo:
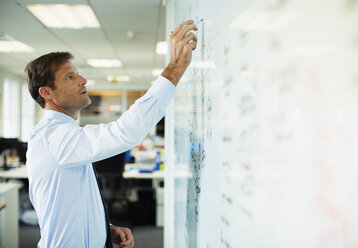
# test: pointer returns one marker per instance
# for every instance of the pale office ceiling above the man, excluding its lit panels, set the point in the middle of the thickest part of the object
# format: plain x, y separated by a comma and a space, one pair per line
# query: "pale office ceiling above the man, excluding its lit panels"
146, 18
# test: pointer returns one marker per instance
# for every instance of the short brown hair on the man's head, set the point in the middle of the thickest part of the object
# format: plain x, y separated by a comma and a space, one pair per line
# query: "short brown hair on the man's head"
41, 72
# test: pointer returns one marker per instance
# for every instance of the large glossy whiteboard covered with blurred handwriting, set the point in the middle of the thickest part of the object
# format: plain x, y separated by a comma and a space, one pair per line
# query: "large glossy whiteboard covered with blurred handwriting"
263, 133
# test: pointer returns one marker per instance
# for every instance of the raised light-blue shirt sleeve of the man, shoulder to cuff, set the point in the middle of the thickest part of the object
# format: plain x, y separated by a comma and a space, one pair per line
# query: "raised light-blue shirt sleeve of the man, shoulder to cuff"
71, 145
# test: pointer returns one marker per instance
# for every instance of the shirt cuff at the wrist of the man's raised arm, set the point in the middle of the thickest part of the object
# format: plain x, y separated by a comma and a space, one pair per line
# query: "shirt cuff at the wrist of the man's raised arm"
163, 89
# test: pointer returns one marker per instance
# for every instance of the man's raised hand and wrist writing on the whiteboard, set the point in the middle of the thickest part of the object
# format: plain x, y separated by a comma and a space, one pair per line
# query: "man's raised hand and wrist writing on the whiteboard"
182, 43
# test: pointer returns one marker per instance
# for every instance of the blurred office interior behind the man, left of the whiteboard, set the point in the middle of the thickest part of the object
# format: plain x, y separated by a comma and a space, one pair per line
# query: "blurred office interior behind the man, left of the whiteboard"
120, 48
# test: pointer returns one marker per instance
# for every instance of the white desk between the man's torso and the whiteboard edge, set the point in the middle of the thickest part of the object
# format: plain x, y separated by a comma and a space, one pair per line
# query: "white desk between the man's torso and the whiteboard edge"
157, 177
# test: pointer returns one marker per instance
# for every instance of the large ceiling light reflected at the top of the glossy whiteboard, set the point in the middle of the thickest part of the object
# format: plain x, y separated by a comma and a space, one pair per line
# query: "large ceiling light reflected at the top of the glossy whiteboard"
263, 20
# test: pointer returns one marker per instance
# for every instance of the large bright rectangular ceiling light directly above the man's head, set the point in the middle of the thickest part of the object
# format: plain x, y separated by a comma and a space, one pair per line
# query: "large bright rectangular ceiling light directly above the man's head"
65, 16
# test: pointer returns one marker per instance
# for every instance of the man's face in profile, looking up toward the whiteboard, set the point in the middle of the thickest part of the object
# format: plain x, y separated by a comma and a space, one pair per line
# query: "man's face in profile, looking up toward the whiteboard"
70, 93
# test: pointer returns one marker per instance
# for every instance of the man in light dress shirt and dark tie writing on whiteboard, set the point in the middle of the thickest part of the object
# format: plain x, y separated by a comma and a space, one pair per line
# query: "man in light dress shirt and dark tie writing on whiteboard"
62, 184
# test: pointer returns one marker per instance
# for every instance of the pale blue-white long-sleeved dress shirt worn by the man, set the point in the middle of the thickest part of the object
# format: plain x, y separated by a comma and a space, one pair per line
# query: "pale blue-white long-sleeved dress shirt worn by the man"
62, 185
